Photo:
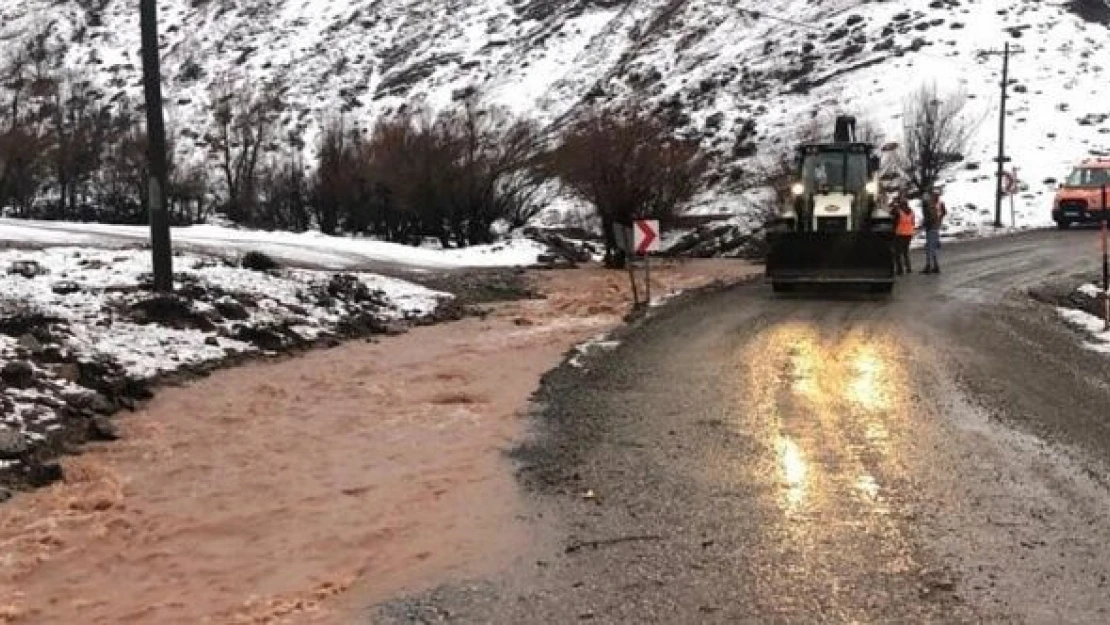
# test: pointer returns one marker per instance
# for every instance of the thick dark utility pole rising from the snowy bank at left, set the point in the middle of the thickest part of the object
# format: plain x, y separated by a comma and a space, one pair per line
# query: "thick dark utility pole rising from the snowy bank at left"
156, 149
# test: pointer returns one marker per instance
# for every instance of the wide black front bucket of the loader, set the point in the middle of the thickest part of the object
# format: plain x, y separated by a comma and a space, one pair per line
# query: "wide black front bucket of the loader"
831, 258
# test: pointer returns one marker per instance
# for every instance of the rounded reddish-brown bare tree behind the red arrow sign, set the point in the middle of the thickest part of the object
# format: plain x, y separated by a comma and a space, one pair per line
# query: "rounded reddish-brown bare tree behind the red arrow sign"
629, 167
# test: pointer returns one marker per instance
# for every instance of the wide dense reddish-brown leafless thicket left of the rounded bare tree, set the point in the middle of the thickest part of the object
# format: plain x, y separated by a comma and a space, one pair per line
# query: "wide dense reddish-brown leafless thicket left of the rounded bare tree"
450, 177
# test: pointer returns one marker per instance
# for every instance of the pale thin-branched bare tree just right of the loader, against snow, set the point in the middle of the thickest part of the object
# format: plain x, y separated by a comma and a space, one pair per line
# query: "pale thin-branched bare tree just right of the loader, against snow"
937, 136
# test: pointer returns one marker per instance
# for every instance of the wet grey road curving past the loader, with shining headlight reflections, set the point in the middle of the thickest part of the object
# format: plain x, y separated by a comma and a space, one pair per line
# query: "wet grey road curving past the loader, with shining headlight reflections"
932, 458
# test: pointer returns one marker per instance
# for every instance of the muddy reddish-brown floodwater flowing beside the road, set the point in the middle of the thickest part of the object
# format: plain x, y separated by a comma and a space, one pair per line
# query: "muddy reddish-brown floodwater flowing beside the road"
302, 490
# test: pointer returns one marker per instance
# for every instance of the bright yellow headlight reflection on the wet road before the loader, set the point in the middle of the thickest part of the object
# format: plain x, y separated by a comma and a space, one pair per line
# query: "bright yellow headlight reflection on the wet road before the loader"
832, 405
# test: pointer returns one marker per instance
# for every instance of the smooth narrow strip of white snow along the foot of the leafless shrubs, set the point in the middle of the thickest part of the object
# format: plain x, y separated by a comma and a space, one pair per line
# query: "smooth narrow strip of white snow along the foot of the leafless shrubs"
310, 249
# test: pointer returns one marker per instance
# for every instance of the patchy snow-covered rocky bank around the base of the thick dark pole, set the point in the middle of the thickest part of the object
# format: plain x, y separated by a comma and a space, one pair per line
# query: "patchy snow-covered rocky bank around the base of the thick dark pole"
92, 298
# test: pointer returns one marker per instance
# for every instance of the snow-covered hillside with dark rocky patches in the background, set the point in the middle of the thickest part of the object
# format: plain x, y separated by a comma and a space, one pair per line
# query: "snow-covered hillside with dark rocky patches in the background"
743, 83
